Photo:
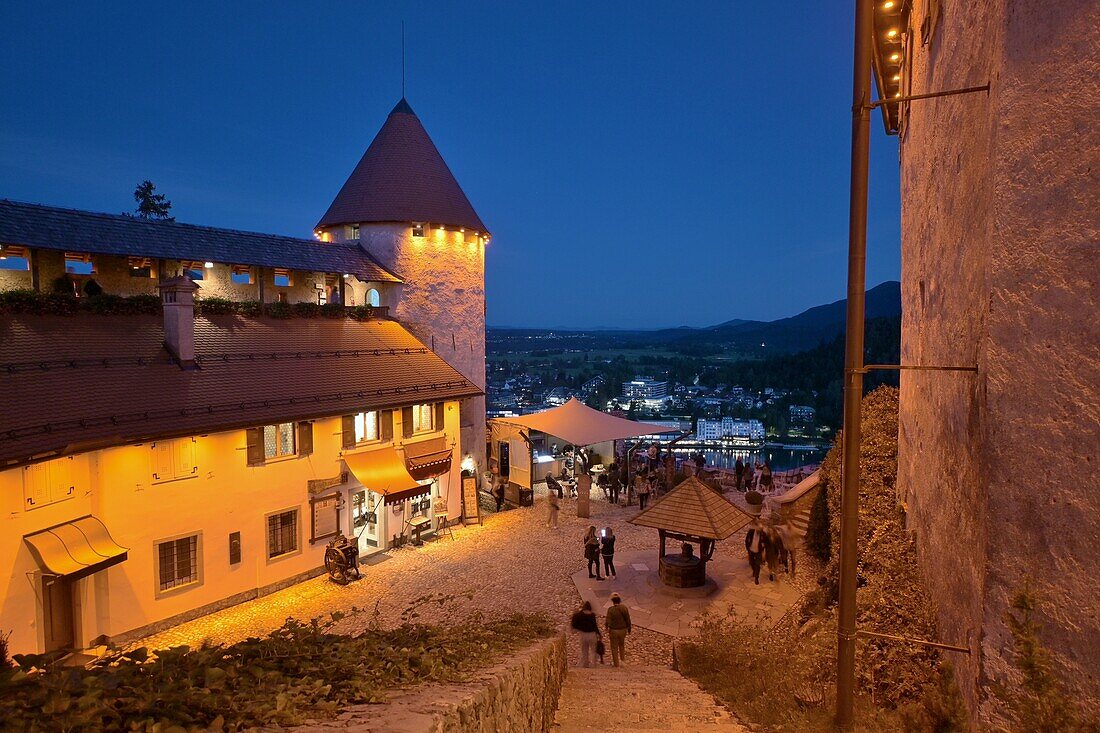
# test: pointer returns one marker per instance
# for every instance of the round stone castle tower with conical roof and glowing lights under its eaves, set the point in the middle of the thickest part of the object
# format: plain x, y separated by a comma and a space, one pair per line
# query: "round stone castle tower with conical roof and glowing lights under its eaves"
408, 211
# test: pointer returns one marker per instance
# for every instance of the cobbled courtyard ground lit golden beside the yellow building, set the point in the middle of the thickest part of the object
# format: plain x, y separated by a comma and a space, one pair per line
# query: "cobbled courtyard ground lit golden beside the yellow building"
512, 563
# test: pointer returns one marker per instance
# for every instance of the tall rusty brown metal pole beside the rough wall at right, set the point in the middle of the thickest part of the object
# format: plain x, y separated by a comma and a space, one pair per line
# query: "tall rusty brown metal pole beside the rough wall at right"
854, 362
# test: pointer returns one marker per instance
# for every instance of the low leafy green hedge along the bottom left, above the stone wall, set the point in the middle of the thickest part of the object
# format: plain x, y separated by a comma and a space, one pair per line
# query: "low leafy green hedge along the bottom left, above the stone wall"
300, 672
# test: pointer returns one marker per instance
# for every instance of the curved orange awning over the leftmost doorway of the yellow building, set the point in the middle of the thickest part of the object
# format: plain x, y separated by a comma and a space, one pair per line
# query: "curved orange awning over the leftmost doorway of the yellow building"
75, 550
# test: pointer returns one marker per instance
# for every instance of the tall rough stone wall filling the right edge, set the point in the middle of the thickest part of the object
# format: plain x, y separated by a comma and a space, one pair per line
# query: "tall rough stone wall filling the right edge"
1000, 239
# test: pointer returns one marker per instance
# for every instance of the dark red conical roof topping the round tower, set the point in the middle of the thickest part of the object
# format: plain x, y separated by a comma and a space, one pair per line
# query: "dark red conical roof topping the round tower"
402, 178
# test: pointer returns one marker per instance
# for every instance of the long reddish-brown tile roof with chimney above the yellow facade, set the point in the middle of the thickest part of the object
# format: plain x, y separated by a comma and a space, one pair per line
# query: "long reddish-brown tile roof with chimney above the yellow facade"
73, 384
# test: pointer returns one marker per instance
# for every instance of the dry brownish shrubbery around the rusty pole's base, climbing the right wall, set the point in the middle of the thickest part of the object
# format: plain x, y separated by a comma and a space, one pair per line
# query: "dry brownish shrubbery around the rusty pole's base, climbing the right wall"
785, 680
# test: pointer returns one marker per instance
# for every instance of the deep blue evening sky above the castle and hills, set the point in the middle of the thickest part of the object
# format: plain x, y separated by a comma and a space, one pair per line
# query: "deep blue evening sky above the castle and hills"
640, 165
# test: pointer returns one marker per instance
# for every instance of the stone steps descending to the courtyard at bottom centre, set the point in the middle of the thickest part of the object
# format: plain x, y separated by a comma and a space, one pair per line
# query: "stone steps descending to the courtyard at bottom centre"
624, 699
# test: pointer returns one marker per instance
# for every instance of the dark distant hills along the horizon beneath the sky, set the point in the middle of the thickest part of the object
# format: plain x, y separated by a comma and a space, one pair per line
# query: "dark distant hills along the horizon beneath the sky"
799, 333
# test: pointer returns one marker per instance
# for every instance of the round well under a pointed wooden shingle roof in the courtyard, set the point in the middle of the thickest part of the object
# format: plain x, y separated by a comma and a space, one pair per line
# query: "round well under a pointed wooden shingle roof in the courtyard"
692, 513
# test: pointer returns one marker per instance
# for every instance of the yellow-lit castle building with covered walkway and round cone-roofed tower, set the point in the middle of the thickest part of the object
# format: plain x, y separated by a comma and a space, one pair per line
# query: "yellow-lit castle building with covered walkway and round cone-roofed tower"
202, 441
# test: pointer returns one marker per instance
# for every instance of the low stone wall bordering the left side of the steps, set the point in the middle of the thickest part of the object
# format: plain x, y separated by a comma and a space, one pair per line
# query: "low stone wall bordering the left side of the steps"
519, 696
